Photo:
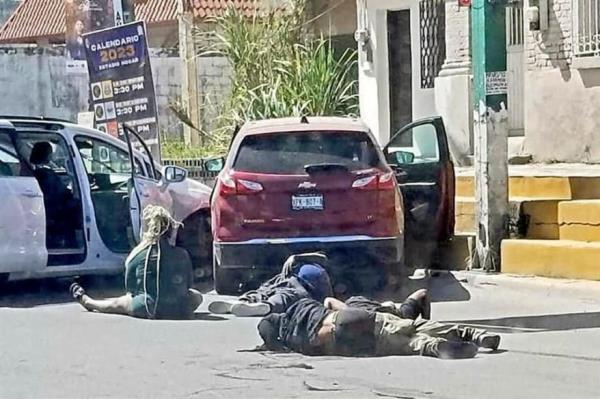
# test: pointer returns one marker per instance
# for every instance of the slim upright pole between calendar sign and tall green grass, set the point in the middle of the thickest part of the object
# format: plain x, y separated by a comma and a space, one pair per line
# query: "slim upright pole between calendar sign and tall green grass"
190, 100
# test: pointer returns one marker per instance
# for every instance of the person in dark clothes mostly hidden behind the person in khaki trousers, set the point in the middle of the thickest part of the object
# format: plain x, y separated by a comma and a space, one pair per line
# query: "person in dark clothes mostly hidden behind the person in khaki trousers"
417, 304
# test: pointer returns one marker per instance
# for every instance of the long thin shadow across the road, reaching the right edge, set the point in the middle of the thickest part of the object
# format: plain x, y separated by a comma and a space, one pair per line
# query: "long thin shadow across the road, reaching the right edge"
540, 323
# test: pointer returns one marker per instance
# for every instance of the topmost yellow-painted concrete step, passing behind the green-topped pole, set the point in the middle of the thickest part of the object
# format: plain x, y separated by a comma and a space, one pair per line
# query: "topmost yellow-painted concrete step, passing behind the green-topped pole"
539, 187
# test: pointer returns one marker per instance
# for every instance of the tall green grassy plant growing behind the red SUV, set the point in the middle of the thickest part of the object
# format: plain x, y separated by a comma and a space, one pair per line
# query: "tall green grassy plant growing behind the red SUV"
279, 70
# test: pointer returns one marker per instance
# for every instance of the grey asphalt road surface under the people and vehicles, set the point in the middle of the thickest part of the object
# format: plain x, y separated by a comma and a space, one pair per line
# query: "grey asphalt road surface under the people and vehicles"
51, 348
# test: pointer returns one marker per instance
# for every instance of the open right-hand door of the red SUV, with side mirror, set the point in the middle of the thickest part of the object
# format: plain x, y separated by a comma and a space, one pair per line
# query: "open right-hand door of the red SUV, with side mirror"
420, 156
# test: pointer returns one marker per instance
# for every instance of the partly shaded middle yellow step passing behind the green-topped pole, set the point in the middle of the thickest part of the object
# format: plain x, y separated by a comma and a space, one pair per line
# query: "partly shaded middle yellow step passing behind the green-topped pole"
539, 215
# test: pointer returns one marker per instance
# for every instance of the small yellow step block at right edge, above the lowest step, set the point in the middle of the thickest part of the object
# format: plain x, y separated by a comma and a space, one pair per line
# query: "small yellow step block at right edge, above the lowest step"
579, 220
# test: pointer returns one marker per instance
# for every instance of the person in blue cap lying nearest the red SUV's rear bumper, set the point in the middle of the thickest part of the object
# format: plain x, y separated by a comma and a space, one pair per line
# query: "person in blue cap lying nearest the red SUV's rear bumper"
302, 276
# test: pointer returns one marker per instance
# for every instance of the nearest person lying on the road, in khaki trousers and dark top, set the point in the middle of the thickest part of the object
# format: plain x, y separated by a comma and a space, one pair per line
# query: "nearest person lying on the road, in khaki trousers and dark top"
310, 328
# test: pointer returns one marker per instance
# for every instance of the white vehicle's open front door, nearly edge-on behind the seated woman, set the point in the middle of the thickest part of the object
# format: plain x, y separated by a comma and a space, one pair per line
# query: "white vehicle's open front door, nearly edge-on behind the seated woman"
140, 190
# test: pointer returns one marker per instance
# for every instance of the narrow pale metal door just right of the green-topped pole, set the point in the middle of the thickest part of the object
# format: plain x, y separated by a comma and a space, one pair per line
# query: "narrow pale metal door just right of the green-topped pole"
515, 68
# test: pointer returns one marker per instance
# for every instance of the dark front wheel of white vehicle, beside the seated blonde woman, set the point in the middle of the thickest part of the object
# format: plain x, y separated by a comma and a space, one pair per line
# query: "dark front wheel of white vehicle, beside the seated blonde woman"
195, 237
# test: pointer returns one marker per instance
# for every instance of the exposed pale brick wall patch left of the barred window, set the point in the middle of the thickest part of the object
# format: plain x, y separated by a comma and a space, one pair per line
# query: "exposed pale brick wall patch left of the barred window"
551, 49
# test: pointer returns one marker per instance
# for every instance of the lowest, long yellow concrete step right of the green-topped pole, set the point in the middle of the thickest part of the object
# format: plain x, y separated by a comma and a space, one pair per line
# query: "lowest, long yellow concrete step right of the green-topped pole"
552, 258
